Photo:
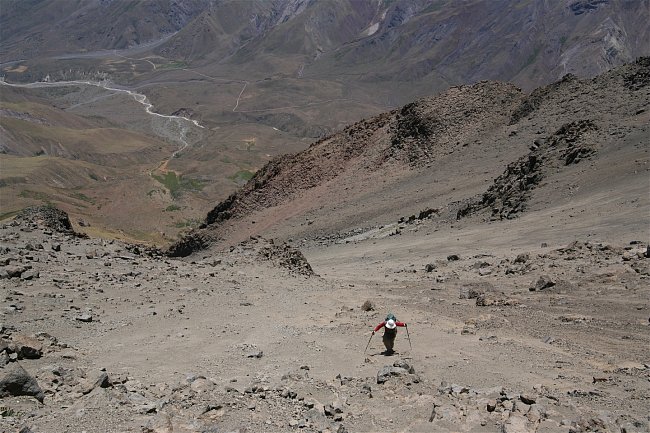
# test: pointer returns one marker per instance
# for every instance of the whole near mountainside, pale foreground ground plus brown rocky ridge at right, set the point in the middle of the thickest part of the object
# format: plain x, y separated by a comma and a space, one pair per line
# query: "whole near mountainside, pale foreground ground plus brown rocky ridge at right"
529, 314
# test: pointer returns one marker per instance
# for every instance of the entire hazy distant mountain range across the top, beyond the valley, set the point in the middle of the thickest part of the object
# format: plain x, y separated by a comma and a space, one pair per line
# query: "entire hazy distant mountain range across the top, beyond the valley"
434, 42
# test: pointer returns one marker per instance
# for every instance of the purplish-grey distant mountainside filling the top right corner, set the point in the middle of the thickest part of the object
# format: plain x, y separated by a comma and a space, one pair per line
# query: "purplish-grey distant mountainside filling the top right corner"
528, 43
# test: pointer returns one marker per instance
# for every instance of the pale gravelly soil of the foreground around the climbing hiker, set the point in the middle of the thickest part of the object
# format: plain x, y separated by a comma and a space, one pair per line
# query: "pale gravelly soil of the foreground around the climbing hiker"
179, 338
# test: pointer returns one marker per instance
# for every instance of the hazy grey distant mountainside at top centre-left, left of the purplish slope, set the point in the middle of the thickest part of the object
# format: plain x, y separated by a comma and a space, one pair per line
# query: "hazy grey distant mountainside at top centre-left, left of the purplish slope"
277, 28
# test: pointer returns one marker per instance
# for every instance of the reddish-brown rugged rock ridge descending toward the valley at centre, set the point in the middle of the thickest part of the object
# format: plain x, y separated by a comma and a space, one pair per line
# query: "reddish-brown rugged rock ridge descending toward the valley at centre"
411, 136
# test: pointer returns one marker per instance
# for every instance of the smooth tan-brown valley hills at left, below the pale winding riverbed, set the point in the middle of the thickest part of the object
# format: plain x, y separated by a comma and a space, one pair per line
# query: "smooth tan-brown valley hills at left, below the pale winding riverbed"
100, 172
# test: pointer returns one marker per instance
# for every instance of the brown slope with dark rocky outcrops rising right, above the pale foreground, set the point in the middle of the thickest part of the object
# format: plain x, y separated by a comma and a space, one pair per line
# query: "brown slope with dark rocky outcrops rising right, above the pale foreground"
442, 152
